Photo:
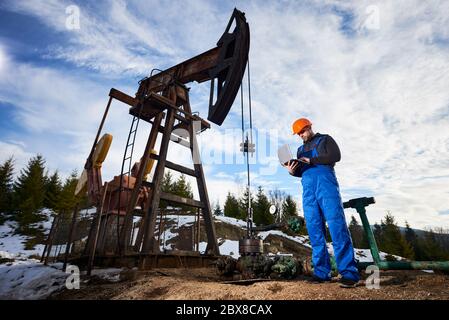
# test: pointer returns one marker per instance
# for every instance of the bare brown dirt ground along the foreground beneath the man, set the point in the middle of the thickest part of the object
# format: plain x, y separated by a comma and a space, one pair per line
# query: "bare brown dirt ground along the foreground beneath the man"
205, 284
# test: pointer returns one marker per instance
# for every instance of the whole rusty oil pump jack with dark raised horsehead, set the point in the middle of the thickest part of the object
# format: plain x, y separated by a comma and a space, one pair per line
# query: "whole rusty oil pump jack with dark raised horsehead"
162, 96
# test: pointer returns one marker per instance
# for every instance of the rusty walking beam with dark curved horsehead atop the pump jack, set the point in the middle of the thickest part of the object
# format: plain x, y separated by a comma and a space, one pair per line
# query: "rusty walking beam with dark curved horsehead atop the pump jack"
224, 65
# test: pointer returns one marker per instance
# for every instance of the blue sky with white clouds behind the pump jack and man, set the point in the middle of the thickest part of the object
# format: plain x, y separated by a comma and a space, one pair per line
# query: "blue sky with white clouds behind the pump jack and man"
373, 74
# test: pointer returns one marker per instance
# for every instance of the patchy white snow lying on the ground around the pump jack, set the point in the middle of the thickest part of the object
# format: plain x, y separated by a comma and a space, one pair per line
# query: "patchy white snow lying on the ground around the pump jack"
22, 277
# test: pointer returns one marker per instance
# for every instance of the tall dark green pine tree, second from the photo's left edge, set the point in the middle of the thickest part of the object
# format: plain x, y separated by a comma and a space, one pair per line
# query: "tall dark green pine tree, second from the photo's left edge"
29, 192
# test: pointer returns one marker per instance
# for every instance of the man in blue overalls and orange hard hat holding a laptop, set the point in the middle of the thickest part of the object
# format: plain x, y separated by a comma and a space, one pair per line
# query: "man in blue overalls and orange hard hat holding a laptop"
322, 202
